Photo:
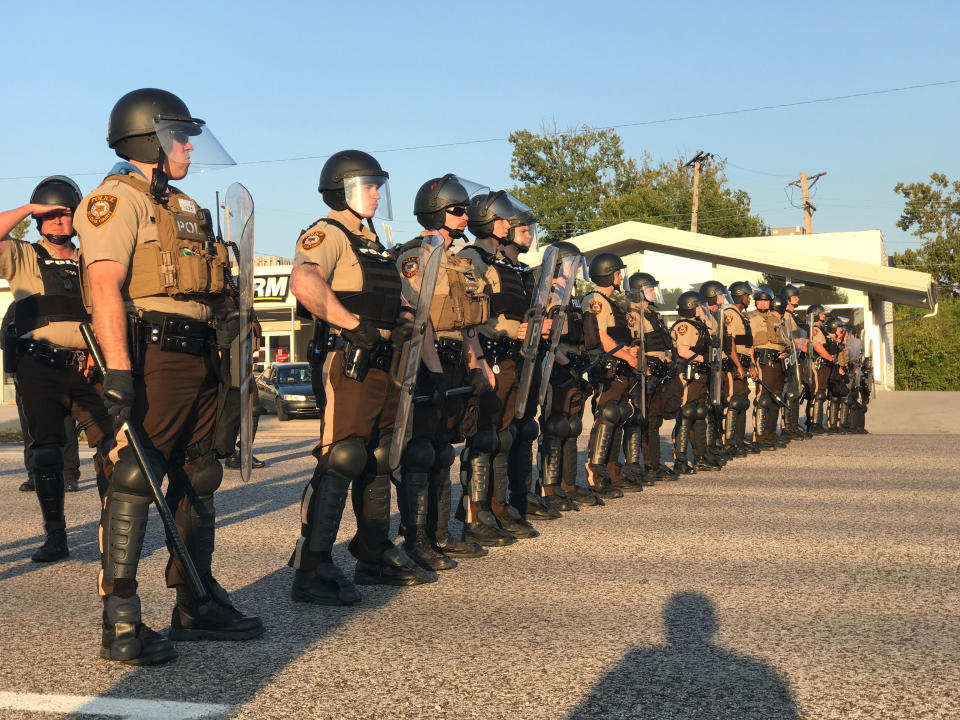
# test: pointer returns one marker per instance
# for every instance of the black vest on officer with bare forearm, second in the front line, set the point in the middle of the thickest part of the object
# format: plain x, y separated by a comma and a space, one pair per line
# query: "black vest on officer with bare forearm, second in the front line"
378, 302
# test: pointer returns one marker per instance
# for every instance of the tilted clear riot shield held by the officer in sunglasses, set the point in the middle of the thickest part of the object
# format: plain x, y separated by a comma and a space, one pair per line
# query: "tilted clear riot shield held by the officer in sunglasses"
431, 256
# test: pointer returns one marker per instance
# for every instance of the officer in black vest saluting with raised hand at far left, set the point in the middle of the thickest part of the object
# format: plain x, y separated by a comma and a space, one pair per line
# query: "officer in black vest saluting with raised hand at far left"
47, 352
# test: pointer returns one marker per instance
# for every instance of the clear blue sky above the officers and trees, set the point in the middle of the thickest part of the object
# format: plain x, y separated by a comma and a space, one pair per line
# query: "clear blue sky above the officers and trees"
288, 80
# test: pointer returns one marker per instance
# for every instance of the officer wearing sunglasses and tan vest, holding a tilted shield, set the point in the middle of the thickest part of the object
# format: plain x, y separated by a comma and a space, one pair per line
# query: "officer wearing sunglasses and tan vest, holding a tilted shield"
451, 358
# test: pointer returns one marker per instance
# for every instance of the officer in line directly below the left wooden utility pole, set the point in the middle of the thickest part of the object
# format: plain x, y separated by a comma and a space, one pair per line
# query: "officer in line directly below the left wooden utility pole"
691, 337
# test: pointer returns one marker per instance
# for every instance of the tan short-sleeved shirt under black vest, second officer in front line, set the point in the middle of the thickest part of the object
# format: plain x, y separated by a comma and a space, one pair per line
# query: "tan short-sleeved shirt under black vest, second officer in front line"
327, 247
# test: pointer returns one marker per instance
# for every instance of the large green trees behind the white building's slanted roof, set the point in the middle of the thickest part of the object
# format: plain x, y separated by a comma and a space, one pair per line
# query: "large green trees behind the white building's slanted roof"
580, 180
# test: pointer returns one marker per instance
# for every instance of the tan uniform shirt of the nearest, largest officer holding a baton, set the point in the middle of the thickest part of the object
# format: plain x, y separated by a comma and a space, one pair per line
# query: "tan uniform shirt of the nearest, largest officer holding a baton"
115, 218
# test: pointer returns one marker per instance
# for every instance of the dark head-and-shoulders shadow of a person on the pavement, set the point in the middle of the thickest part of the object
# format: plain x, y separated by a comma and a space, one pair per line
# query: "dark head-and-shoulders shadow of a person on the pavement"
690, 676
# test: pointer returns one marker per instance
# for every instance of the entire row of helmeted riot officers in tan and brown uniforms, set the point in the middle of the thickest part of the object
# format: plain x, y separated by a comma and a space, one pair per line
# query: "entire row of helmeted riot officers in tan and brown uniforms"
156, 282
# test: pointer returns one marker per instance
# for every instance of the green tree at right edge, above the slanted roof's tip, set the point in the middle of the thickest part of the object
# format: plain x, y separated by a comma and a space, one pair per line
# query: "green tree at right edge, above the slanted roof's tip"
932, 213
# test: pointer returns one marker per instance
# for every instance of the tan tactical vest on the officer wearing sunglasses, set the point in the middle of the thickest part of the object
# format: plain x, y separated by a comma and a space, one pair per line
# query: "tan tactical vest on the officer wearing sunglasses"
459, 300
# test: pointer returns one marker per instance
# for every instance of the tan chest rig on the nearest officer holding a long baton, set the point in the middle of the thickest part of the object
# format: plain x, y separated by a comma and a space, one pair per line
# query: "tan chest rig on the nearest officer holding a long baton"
175, 256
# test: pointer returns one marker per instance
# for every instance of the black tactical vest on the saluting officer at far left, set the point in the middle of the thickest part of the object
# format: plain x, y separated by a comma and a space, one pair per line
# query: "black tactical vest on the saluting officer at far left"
61, 300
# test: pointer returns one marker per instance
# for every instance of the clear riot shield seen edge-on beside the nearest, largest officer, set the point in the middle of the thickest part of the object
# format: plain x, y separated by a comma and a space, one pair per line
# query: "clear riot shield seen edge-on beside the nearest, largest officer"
238, 212
